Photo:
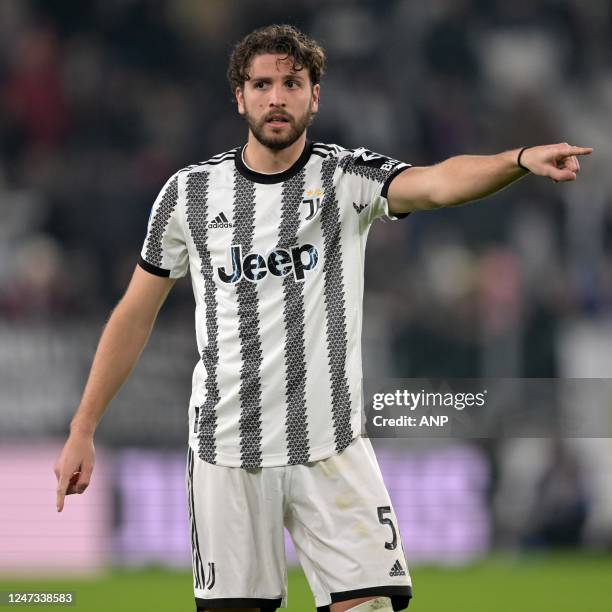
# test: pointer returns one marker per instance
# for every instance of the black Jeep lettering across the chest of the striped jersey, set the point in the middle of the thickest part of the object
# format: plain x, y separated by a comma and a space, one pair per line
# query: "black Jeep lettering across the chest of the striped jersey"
279, 262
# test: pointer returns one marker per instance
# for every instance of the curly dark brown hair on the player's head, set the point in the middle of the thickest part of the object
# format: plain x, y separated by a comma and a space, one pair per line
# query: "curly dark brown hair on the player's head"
303, 50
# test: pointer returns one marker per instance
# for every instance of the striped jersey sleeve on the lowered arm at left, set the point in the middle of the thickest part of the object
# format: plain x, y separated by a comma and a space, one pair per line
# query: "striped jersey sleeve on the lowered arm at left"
164, 251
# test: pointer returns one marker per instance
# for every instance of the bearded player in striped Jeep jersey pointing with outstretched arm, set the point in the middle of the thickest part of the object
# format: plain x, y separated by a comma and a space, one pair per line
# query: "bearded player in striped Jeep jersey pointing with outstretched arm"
274, 234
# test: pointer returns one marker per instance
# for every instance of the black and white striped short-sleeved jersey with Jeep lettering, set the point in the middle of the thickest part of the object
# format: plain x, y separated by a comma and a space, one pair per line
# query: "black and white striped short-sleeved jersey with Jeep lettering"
277, 268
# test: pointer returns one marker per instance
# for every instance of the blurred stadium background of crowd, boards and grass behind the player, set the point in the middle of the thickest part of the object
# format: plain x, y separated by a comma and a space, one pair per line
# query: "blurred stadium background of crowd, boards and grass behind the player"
101, 101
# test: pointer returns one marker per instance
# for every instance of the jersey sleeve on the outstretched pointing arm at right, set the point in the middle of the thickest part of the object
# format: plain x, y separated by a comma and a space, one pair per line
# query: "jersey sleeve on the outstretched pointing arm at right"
374, 173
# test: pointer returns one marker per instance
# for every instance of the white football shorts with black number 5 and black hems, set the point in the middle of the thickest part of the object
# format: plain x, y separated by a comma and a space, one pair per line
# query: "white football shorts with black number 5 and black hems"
337, 511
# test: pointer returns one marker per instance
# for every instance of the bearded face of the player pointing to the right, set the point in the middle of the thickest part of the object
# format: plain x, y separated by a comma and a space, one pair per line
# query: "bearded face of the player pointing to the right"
277, 102
